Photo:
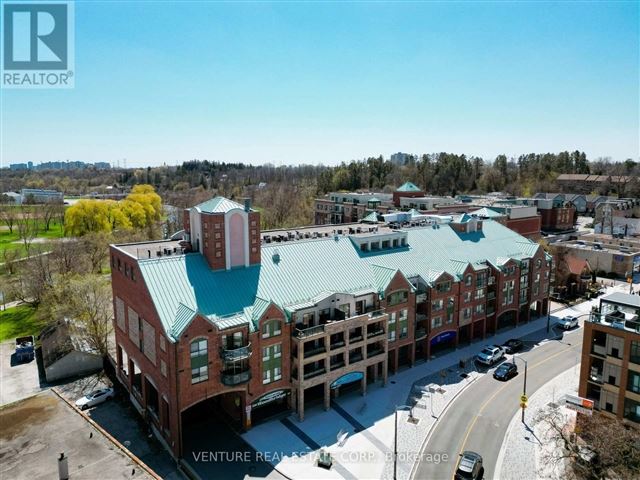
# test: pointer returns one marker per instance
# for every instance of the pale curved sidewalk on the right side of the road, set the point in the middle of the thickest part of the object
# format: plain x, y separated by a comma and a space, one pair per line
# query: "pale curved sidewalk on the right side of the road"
524, 446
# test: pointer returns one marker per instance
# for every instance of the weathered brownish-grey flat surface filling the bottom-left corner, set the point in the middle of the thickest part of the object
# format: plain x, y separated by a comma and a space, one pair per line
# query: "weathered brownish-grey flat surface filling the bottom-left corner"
36, 430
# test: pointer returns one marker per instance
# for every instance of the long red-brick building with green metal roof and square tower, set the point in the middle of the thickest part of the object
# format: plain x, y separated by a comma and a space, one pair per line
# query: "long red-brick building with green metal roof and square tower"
223, 322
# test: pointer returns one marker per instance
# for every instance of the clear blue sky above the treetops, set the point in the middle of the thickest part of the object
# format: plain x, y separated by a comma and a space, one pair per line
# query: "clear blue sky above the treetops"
315, 82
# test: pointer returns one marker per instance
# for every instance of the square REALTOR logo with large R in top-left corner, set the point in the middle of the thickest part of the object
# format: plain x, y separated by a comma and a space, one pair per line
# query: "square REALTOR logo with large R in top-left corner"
37, 44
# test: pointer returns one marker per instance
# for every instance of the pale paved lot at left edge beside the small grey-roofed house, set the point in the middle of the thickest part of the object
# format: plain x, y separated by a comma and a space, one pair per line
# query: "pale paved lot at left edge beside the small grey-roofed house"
17, 380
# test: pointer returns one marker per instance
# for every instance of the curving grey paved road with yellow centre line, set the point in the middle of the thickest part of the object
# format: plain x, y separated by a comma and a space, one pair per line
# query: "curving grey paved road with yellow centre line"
478, 420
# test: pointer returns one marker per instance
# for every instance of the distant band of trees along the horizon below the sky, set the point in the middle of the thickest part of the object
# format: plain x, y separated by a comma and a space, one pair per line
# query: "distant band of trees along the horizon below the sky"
285, 193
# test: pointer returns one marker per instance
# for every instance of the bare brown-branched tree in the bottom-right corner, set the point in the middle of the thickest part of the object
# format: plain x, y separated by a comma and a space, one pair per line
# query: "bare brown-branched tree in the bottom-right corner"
598, 448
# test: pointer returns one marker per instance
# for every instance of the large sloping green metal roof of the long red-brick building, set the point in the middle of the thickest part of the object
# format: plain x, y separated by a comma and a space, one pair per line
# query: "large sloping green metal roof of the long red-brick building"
182, 285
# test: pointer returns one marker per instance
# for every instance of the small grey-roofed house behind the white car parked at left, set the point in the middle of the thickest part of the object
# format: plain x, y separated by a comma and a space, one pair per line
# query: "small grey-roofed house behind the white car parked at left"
65, 354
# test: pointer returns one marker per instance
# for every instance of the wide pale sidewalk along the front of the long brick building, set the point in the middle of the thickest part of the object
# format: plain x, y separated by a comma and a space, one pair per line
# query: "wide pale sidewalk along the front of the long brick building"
358, 430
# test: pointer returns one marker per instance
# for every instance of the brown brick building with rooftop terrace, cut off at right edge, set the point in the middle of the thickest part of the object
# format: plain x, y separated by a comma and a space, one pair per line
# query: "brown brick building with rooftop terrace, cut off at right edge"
610, 368
